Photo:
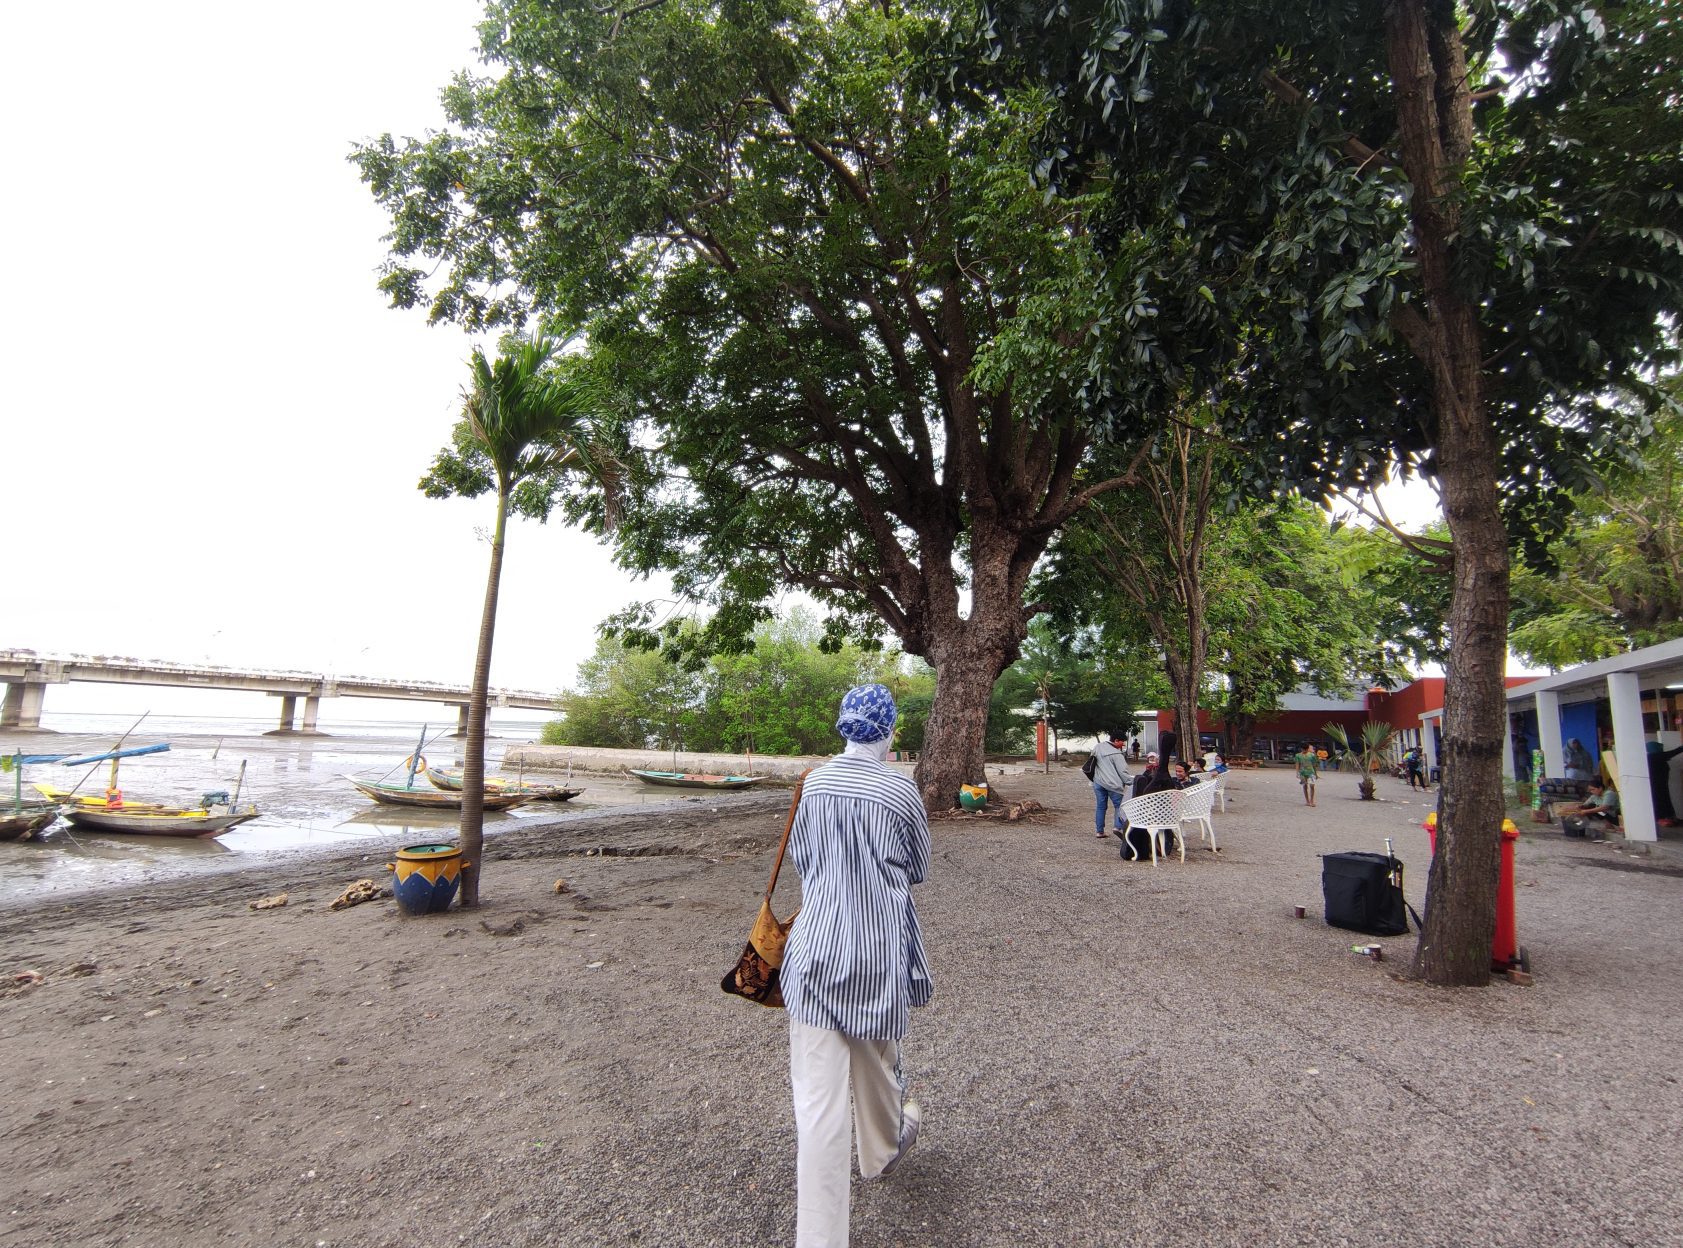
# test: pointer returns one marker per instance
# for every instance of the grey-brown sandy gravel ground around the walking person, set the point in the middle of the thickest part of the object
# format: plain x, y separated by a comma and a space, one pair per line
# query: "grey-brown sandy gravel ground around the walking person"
1117, 1054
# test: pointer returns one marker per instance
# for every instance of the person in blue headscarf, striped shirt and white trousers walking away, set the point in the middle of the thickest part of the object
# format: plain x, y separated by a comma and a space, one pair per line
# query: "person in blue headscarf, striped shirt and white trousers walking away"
854, 966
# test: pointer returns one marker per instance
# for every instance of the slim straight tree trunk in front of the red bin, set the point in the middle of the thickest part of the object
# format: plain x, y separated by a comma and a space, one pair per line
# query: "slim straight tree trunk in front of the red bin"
1436, 130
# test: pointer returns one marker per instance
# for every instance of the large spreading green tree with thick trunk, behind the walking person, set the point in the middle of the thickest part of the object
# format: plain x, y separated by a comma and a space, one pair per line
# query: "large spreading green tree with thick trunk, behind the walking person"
790, 245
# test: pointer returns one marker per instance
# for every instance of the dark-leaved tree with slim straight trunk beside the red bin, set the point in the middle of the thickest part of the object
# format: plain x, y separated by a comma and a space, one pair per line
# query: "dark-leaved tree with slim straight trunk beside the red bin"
1426, 235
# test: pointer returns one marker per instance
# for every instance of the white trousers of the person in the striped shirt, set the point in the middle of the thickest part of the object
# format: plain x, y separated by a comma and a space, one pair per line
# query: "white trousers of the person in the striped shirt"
824, 1067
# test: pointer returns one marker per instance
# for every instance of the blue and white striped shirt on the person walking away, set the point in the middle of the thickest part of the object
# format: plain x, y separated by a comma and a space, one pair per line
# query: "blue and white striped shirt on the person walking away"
856, 958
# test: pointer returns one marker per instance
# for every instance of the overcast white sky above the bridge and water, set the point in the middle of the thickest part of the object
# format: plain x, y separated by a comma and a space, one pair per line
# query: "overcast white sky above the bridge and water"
213, 421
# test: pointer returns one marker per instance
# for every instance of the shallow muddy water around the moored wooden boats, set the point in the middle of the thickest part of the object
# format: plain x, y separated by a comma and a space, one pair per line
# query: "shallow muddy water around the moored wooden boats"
299, 786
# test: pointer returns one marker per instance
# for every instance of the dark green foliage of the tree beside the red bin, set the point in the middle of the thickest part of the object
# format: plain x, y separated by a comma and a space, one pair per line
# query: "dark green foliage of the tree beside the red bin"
1255, 182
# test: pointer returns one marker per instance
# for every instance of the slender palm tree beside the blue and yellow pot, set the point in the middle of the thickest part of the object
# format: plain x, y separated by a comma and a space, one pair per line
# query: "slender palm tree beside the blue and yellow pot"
529, 423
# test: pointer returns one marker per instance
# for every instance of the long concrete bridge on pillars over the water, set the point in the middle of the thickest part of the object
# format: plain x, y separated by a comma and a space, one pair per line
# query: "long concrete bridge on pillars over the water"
28, 675
